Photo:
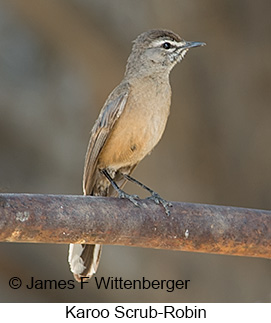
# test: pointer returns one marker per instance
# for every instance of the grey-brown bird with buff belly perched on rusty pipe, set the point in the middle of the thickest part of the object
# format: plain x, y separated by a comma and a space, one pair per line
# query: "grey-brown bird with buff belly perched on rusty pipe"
129, 126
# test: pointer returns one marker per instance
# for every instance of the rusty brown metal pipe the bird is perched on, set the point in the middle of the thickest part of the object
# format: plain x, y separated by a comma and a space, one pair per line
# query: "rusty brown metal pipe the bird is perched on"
113, 221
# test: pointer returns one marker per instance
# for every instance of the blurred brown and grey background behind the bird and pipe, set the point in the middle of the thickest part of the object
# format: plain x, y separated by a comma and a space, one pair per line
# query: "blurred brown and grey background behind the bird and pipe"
58, 62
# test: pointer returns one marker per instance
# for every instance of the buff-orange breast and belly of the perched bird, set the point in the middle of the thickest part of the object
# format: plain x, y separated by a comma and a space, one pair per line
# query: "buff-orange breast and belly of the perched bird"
139, 128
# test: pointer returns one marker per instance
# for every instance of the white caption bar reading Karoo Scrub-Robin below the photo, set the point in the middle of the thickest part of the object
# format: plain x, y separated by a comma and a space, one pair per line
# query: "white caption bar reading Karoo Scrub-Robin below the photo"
122, 312
